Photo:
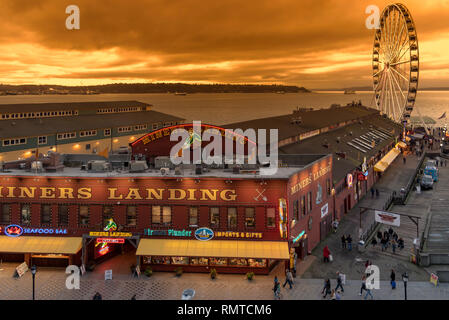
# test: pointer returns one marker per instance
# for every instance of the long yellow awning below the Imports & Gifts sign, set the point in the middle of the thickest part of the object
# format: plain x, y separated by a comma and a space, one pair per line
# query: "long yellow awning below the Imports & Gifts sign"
214, 248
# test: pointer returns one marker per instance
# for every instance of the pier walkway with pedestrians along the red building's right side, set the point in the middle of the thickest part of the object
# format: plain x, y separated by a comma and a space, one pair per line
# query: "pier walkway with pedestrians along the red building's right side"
396, 177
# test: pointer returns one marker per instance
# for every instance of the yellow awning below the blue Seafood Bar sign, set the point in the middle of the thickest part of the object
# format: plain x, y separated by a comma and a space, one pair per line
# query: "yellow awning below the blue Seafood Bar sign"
24, 244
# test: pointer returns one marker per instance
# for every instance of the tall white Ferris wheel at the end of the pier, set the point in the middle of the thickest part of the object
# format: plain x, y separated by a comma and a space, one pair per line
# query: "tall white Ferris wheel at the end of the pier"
395, 63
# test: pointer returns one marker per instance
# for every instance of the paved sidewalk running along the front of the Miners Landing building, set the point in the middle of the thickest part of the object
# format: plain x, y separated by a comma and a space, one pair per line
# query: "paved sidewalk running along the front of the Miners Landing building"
50, 285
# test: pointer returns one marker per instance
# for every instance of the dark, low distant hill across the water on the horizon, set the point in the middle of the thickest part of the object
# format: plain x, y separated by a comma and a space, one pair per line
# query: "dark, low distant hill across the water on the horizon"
149, 88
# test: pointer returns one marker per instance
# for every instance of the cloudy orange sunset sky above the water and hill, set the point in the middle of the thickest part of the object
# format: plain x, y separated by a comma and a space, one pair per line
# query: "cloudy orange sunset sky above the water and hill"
311, 43
